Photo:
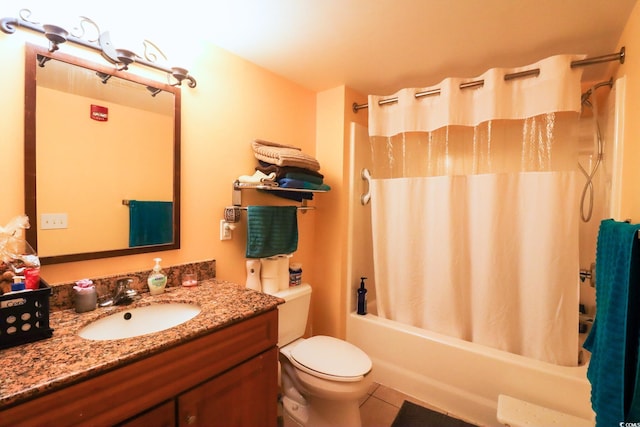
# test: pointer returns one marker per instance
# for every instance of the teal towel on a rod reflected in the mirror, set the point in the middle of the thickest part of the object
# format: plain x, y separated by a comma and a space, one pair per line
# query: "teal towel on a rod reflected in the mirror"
150, 223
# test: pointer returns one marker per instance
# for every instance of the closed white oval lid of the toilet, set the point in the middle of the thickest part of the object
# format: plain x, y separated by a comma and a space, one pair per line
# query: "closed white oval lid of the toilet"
331, 356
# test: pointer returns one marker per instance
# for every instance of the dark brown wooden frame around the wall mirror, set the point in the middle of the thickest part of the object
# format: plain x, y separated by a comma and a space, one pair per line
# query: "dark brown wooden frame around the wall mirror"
32, 53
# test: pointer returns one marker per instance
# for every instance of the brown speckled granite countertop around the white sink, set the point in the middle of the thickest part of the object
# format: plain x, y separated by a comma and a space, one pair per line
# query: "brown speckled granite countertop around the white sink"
30, 369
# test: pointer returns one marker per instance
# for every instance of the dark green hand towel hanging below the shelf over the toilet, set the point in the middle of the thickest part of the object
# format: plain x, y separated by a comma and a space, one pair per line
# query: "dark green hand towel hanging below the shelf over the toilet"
271, 230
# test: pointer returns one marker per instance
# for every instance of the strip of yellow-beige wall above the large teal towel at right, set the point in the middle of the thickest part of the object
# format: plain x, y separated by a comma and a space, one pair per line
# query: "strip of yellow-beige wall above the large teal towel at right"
630, 205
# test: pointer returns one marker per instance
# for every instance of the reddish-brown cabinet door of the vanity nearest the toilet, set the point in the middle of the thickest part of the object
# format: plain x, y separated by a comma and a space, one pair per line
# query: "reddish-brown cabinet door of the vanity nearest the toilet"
245, 396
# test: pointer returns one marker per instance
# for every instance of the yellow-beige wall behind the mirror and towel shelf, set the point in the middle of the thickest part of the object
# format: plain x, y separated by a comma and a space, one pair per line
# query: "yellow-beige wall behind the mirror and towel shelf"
235, 101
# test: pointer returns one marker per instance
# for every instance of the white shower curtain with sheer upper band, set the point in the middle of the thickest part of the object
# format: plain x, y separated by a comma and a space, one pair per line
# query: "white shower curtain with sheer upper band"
475, 209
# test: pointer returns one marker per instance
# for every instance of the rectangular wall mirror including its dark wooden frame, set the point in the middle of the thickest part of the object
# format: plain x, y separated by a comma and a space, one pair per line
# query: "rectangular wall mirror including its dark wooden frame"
102, 160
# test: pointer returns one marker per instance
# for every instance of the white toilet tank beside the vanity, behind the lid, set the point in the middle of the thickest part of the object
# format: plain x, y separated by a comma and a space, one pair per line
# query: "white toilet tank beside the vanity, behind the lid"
293, 314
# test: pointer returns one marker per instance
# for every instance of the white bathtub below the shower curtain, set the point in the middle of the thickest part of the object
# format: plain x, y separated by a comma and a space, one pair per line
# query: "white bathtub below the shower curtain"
463, 378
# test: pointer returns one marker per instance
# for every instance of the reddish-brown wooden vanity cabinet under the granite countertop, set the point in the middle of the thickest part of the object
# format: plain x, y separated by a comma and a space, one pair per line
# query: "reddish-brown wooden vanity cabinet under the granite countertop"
228, 377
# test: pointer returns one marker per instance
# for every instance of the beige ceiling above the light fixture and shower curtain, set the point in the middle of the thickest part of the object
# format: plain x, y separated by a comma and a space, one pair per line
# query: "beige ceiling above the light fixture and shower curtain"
381, 46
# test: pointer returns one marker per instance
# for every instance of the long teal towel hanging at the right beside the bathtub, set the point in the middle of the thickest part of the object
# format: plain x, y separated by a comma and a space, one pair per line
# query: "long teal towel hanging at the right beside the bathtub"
613, 340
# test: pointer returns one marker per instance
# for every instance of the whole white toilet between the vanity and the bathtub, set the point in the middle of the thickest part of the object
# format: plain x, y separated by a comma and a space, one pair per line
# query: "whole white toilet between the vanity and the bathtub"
322, 378
